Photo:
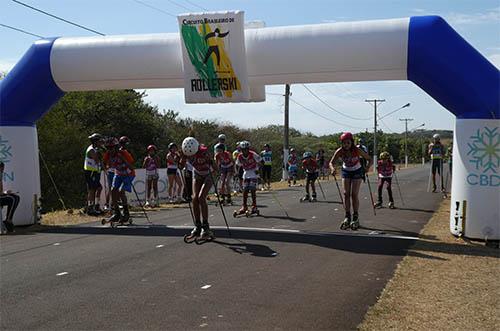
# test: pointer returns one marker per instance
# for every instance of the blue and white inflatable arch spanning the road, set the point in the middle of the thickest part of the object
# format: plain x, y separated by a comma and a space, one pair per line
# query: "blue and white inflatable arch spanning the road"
424, 50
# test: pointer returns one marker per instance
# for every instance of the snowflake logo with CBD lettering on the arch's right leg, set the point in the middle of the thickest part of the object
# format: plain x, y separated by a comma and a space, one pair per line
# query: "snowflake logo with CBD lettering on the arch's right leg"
484, 152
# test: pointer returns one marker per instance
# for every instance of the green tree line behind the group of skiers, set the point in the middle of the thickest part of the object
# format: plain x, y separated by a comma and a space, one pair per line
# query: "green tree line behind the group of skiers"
63, 132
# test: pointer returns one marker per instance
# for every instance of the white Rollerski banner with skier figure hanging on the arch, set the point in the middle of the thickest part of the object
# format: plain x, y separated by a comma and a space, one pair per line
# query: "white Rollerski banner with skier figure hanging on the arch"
214, 57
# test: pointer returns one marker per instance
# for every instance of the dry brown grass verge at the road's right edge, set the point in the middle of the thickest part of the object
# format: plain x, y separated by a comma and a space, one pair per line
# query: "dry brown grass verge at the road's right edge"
444, 283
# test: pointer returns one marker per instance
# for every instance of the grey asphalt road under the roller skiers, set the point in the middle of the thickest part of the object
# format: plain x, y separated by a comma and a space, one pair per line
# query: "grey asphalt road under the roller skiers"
276, 271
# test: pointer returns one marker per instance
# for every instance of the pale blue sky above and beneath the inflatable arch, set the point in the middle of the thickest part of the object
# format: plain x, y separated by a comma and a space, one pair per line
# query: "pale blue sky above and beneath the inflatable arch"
478, 21
